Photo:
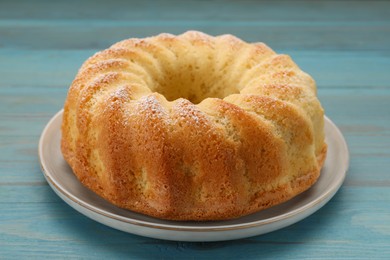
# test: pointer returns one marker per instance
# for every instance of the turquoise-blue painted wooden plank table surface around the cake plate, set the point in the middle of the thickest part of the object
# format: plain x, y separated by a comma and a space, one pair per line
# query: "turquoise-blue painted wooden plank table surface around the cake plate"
344, 45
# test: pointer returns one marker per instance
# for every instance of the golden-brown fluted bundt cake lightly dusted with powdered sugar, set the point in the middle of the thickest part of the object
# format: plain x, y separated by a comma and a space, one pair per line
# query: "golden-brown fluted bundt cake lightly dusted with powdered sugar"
193, 127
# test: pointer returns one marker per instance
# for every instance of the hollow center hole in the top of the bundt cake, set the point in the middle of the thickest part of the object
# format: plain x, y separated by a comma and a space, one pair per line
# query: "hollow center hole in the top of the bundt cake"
195, 83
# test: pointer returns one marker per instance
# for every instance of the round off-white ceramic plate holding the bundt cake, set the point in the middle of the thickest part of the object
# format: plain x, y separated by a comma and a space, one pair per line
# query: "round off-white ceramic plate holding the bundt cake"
62, 180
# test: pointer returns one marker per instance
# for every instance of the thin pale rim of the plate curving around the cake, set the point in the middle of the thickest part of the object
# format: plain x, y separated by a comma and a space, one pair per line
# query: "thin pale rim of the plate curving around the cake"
323, 198
